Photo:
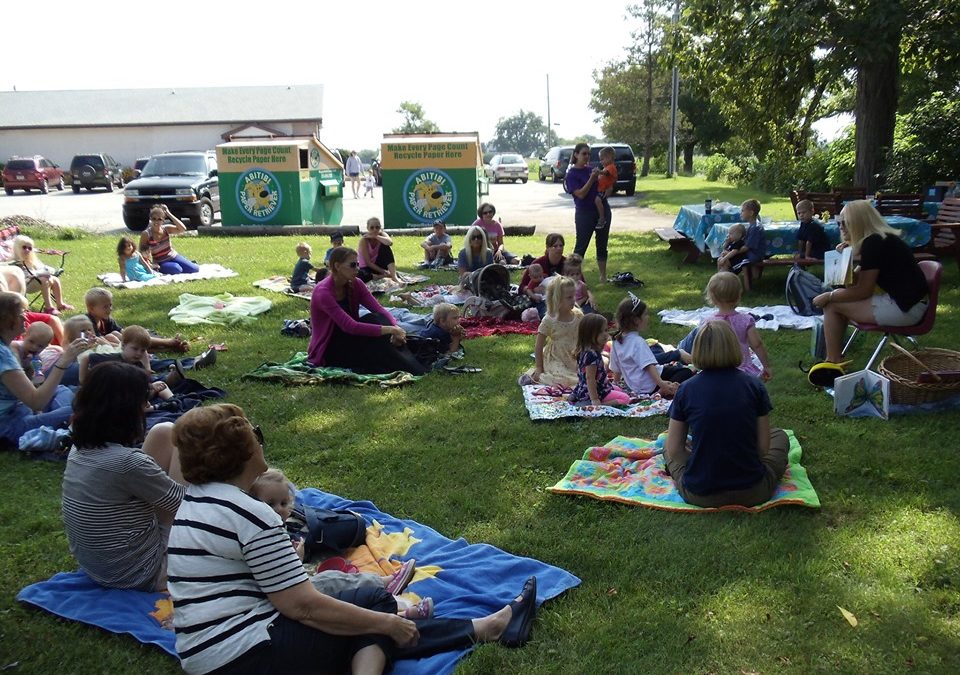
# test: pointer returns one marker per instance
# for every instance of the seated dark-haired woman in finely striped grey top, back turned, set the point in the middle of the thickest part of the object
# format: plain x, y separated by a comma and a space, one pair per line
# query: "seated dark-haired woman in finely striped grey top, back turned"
118, 501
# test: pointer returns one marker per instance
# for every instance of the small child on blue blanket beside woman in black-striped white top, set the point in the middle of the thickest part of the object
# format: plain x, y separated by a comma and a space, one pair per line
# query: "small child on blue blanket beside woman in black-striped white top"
274, 489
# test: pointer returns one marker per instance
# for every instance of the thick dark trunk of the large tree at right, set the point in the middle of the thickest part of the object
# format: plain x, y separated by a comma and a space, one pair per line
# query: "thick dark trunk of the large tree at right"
876, 110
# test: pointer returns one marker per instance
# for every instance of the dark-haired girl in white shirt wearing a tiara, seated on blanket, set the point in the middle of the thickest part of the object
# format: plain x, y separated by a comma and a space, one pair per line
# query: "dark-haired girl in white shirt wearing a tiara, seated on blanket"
632, 359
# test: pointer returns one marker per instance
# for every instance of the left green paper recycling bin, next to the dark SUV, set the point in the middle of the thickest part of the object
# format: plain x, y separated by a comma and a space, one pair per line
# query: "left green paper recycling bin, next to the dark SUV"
282, 181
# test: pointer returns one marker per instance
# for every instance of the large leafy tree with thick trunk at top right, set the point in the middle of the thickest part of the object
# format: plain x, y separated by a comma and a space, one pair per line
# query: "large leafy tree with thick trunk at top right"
774, 67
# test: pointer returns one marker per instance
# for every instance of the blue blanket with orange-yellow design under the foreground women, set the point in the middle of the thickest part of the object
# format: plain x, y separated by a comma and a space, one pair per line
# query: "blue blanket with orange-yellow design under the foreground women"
466, 581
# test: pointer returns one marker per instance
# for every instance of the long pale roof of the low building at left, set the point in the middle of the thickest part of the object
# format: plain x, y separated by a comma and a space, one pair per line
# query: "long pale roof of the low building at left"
150, 107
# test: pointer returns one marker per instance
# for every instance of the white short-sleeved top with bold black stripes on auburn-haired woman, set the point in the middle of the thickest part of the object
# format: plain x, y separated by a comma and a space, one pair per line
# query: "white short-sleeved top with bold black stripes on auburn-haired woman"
227, 552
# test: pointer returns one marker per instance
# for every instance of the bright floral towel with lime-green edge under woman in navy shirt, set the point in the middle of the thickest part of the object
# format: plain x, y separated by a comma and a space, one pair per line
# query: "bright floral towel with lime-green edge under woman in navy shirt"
632, 471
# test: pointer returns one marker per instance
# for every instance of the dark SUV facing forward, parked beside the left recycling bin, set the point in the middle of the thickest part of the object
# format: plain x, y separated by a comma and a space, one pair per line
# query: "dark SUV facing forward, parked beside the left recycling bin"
185, 181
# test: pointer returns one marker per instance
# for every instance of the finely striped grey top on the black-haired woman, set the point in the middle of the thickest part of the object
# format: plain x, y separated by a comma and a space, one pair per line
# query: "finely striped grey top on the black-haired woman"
110, 500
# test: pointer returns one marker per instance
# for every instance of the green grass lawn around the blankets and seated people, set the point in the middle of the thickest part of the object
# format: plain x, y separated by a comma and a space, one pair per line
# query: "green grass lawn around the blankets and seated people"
661, 592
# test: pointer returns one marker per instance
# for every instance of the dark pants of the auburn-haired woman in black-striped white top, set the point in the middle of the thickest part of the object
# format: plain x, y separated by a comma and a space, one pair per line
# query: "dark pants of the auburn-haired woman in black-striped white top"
296, 648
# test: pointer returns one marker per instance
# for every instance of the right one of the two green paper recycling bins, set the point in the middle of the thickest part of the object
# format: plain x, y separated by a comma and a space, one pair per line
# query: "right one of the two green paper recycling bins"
430, 177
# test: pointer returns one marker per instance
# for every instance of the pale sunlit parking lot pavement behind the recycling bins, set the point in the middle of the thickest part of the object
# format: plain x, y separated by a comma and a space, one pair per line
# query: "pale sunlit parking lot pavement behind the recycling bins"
542, 204
